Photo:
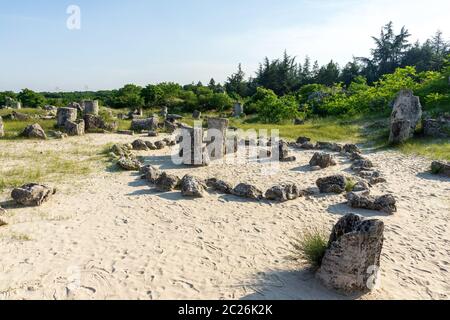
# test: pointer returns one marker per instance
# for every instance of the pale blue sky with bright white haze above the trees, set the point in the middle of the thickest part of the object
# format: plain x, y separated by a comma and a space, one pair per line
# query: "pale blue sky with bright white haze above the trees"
149, 41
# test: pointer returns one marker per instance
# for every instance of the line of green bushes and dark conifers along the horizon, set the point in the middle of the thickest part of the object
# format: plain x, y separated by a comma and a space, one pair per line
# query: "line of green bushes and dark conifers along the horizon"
284, 88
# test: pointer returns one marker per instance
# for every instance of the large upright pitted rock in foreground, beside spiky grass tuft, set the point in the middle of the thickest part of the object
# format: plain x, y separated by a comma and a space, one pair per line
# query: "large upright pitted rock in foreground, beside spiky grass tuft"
354, 251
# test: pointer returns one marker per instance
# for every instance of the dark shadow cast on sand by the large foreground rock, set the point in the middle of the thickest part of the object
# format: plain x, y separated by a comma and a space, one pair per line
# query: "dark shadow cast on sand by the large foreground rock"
291, 285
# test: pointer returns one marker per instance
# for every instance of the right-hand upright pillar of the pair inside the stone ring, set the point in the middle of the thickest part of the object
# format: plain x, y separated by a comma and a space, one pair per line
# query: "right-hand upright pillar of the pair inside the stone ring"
217, 137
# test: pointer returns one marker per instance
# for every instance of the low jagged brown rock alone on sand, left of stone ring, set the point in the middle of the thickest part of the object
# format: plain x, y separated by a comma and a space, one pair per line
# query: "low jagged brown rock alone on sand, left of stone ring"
32, 194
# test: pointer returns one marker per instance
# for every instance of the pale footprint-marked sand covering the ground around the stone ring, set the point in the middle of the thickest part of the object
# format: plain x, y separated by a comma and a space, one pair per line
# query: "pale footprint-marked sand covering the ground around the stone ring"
110, 236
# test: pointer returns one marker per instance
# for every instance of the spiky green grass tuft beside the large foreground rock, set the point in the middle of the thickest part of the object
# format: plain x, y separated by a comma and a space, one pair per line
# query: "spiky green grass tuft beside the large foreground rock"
311, 247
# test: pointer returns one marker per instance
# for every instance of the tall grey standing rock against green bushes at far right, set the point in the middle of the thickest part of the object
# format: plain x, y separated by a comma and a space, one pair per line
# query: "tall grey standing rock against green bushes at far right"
405, 116
